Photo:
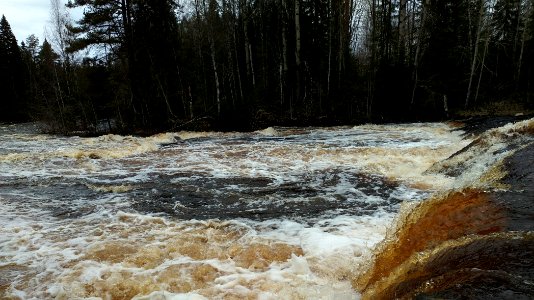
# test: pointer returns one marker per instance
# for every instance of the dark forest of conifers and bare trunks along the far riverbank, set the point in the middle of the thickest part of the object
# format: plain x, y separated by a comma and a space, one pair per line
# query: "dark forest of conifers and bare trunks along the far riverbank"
142, 66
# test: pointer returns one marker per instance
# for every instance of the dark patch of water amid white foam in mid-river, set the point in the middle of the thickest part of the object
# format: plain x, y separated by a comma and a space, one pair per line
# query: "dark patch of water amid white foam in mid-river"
260, 199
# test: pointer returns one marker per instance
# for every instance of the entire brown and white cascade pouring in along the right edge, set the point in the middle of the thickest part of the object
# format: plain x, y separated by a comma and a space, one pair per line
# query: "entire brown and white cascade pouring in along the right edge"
473, 242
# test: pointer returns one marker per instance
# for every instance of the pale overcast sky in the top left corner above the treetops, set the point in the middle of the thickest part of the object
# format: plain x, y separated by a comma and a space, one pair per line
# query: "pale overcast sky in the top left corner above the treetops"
28, 16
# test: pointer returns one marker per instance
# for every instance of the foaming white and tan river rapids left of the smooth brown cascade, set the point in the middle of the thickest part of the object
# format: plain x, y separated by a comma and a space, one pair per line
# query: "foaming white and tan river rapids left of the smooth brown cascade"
283, 213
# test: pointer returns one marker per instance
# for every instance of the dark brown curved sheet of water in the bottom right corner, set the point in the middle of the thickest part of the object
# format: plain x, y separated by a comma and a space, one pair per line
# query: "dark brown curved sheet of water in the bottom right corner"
490, 261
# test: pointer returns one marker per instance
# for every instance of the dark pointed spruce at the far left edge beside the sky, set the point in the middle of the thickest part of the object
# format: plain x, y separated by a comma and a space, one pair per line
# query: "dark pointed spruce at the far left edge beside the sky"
11, 75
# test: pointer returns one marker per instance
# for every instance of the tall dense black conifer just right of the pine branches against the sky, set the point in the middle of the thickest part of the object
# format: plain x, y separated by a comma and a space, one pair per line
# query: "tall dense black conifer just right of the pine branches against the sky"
154, 68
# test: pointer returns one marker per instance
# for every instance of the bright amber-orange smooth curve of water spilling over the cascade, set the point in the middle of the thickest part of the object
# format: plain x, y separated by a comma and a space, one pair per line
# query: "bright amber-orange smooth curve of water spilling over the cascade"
432, 222
